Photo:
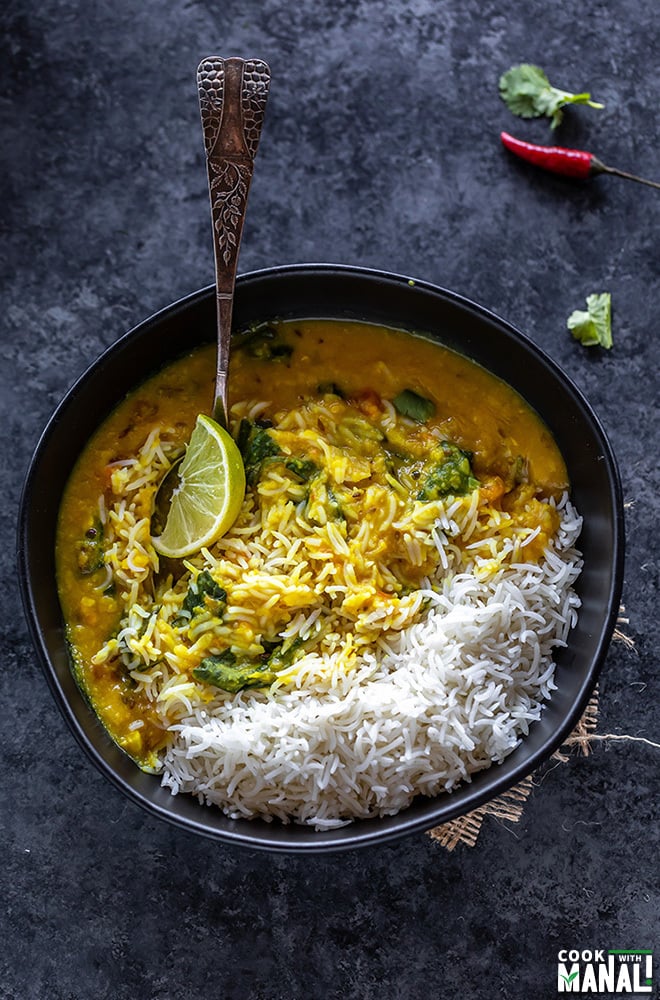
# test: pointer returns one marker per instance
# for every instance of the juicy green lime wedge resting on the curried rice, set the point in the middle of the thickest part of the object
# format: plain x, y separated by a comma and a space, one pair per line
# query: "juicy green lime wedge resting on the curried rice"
211, 490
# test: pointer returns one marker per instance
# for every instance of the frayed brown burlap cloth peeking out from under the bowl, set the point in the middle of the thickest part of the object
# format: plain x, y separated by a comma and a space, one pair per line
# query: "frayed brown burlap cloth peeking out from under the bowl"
510, 805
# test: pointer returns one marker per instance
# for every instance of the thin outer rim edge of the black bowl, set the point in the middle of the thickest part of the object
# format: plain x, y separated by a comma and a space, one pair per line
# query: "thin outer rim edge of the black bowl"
369, 832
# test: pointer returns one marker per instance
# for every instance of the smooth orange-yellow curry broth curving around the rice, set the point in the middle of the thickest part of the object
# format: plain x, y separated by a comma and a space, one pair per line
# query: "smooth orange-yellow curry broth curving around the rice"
474, 410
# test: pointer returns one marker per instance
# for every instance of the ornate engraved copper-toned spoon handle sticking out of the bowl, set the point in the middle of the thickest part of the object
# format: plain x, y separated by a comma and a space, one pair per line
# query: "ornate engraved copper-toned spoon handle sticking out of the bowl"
232, 101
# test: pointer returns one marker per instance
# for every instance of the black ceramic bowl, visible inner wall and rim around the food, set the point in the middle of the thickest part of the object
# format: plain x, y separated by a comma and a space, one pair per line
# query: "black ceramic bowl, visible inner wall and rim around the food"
329, 291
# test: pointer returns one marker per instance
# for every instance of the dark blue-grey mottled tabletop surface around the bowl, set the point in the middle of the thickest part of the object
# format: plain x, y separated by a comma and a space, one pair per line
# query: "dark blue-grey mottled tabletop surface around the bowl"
380, 148
